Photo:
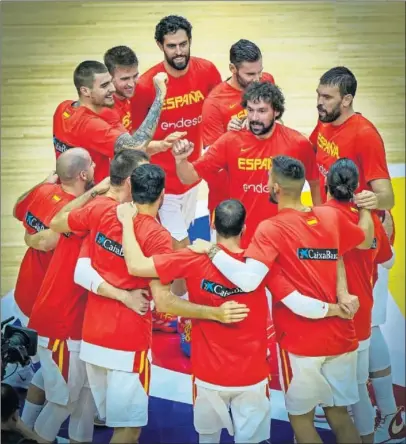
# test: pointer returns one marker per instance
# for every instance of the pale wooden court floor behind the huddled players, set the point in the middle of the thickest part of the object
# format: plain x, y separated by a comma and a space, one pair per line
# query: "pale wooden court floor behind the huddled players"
42, 42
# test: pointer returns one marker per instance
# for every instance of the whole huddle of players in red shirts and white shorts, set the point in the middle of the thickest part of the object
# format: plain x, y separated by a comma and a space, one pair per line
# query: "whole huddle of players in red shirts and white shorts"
107, 234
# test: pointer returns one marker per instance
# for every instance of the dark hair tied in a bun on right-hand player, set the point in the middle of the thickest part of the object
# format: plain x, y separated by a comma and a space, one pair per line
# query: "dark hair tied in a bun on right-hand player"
342, 179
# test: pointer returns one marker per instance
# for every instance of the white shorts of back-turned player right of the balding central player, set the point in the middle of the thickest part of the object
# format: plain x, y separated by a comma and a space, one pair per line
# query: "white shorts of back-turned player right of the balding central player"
325, 380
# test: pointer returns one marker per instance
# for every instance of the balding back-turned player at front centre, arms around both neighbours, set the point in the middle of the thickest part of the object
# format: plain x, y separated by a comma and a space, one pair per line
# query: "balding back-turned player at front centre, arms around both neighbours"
218, 350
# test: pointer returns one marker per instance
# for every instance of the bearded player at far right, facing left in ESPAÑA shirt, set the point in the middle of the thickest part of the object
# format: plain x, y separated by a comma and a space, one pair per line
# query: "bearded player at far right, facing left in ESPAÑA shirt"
342, 132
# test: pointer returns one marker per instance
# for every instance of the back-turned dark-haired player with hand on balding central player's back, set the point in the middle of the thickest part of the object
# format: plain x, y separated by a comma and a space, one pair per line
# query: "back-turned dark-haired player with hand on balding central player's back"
116, 347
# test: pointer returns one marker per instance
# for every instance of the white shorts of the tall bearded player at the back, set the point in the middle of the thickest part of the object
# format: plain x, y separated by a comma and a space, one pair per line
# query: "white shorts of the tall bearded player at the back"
178, 212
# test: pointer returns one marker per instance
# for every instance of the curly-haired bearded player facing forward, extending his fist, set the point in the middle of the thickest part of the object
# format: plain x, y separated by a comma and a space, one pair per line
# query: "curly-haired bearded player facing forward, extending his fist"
247, 155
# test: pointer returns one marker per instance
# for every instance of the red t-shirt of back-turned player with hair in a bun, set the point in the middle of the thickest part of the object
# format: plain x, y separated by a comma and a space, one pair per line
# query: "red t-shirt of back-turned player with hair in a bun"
359, 269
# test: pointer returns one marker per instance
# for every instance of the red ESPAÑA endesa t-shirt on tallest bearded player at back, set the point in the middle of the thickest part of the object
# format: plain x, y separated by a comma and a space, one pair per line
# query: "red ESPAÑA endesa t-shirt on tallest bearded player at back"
182, 111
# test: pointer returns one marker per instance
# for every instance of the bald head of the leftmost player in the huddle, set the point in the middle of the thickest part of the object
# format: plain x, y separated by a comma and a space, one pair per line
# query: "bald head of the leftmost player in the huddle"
70, 163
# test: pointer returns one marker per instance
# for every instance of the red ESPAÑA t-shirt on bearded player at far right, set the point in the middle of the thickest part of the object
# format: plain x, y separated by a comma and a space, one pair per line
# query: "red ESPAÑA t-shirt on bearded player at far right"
358, 140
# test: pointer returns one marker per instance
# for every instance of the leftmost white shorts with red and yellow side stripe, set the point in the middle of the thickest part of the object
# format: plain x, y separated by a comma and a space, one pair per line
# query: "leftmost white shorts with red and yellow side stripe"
63, 372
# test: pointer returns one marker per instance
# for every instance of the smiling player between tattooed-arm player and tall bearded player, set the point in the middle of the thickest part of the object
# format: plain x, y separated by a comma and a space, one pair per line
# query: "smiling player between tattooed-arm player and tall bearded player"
122, 64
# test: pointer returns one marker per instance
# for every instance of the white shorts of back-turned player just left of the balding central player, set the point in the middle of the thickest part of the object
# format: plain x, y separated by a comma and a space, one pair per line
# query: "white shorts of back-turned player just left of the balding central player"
120, 397
